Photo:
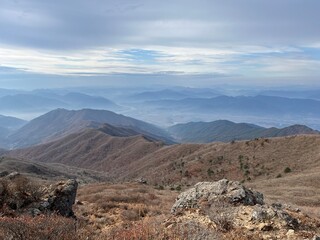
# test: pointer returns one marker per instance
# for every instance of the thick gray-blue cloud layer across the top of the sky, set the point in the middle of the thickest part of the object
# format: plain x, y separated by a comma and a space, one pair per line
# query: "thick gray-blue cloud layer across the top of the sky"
78, 24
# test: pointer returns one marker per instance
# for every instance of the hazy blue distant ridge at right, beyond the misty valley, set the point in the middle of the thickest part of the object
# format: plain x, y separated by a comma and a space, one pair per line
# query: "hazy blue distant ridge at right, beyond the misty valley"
244, 105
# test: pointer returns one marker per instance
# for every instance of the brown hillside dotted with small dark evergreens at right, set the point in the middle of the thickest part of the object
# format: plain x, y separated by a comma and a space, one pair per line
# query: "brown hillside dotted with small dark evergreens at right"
243, 160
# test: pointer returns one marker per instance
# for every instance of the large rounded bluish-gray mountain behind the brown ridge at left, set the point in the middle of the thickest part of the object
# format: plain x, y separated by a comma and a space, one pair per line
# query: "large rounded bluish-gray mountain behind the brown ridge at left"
61, 122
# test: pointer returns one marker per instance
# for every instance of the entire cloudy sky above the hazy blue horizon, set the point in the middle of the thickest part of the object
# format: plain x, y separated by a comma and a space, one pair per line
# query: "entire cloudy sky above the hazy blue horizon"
201, 43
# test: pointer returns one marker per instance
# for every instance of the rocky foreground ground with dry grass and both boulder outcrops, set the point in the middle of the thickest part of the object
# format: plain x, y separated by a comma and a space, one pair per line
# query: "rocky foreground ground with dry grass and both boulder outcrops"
209, 210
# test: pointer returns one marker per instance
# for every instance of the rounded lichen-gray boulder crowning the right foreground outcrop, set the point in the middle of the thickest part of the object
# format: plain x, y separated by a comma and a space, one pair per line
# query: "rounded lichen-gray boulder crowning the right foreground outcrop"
224, 190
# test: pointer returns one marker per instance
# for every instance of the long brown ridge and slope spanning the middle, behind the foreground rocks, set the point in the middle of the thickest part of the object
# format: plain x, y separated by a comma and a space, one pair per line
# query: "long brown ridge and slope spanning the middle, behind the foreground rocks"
127, 158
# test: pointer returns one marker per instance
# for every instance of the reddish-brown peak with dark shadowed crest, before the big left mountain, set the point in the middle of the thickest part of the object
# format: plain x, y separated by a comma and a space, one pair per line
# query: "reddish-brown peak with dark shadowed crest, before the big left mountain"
98, 149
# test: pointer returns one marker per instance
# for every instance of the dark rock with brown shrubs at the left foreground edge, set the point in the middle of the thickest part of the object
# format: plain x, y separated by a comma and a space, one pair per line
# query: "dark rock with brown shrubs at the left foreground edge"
19, 194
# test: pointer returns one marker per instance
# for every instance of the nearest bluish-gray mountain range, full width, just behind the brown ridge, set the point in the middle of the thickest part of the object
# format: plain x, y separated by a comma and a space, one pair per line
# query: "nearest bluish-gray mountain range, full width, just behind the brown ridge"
59, 123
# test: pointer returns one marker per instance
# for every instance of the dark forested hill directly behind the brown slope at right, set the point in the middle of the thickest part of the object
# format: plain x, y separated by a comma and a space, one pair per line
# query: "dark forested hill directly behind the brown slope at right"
225, 131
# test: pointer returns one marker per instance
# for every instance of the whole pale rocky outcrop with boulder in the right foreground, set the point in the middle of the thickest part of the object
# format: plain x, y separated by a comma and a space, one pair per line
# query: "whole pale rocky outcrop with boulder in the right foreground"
228, 210
